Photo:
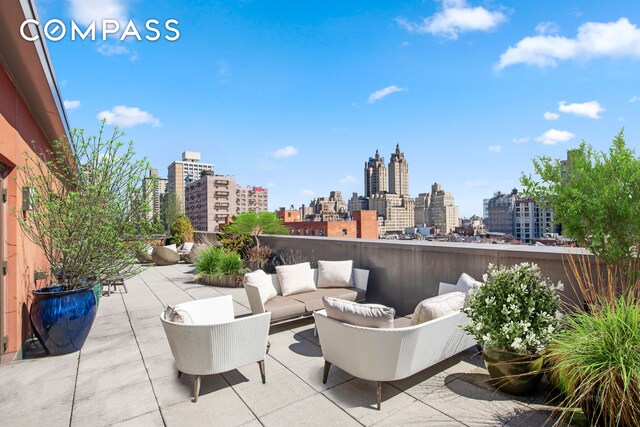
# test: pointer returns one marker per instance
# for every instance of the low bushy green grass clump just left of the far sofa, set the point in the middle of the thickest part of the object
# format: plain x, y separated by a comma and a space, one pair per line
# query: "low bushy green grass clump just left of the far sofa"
216, 267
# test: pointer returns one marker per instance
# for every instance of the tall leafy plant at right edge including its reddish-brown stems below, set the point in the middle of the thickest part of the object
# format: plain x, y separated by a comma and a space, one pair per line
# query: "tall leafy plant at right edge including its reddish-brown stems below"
595, 196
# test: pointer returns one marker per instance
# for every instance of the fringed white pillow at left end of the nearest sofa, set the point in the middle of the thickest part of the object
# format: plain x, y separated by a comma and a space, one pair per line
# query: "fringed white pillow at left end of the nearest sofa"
358, 314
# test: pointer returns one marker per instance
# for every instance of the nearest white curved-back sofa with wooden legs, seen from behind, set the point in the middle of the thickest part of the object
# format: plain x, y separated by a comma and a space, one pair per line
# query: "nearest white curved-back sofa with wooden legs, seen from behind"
391, 354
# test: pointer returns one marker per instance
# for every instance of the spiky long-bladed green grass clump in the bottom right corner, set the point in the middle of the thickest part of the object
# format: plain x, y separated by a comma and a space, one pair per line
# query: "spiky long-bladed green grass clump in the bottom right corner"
598, 358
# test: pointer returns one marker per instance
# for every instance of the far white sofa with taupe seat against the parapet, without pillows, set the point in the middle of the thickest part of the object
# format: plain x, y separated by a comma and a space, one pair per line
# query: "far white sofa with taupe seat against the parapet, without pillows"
304, 304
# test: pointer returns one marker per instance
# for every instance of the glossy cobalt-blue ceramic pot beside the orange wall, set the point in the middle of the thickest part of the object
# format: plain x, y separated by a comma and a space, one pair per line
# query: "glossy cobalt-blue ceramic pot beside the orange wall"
61, 318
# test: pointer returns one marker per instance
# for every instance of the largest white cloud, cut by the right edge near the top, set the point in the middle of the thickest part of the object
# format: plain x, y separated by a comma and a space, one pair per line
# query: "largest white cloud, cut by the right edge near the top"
594, 40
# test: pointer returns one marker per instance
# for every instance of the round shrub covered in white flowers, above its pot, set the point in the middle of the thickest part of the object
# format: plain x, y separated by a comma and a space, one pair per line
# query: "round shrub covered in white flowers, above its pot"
516, 309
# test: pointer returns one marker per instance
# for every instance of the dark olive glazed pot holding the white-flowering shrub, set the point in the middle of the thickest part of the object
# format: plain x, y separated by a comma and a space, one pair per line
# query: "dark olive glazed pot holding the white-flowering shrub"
511, 372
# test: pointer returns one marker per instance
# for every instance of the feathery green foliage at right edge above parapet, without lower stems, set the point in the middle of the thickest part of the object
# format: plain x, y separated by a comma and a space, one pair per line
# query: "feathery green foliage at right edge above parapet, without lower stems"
595, 196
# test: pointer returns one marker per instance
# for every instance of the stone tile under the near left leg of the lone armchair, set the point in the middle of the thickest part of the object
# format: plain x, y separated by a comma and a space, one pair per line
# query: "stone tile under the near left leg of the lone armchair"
172, 390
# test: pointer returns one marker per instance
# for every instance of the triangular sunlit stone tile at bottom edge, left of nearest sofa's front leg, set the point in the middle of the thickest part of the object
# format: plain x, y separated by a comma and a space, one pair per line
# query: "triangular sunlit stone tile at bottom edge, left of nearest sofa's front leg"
315, 410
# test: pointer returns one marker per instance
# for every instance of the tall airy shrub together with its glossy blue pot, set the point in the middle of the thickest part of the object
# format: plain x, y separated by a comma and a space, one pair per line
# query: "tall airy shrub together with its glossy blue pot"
87, 210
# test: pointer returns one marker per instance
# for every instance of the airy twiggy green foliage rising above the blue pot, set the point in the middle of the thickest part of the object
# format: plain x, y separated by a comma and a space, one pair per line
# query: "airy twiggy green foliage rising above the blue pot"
89, 205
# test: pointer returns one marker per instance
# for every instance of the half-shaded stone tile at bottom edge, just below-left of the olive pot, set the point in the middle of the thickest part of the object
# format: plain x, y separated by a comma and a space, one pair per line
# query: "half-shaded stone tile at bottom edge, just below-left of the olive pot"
471, 405
